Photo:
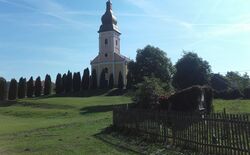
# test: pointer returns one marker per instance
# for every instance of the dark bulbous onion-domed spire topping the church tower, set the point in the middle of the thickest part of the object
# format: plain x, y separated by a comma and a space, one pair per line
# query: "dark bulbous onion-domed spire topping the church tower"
109, 21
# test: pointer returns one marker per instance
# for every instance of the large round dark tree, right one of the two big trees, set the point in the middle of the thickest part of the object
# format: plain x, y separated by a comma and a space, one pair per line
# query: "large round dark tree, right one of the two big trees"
191, 70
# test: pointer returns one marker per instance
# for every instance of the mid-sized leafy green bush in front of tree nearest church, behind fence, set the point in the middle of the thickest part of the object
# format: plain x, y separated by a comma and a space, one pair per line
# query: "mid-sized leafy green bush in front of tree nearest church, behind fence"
148, 92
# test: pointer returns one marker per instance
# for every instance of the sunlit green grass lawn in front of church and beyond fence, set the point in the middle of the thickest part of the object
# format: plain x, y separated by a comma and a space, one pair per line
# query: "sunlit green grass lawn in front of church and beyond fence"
70, 125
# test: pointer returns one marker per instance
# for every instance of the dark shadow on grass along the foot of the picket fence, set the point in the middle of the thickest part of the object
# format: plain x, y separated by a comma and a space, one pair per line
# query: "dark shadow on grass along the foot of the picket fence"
107, 137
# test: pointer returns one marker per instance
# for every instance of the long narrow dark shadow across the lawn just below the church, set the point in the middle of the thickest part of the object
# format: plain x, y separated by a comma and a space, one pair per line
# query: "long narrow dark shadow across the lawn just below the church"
97, 109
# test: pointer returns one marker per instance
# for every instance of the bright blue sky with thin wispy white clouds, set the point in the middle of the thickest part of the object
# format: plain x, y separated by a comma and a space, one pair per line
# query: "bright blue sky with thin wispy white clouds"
39, 37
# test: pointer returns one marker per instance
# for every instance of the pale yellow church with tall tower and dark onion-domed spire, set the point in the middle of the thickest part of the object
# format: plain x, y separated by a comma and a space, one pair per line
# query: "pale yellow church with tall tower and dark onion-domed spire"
109, 59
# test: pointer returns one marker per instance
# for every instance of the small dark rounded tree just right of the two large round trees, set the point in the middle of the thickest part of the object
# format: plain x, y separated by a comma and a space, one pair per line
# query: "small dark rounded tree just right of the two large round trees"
219, 82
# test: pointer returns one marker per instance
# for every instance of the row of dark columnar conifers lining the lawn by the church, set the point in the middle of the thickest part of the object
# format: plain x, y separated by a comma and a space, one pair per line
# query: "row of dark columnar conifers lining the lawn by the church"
65, 83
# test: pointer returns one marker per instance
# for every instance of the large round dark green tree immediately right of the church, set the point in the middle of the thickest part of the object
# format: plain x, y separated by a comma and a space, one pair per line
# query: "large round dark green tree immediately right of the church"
151, 62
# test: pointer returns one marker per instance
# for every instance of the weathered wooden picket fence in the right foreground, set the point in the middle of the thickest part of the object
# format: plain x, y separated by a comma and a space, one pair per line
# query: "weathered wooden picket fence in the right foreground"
218, 133
